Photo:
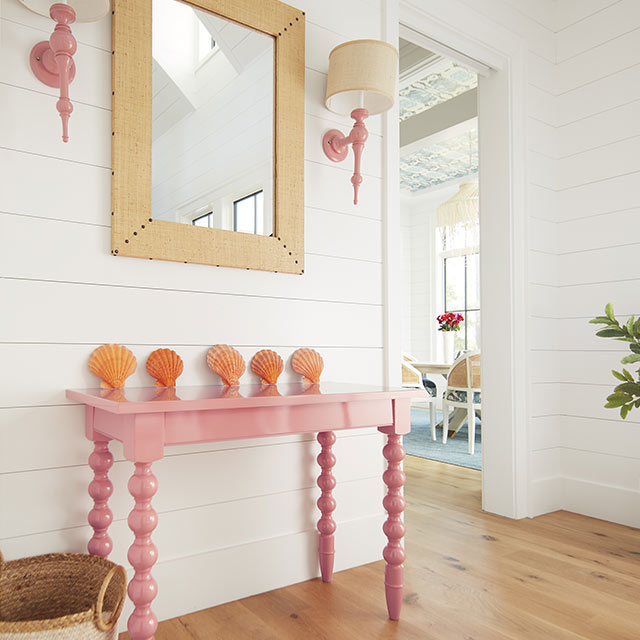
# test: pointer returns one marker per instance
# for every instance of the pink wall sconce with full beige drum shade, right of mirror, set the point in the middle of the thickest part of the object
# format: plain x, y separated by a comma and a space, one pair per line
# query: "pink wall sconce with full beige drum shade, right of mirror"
361, 83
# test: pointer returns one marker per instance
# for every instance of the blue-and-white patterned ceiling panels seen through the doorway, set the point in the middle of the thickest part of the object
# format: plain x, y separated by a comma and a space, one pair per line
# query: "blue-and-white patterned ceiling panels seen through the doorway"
427, 80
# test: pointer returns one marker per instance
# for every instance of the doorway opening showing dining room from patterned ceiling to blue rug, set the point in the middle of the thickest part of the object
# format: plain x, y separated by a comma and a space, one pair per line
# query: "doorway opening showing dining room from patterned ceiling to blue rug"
440, 231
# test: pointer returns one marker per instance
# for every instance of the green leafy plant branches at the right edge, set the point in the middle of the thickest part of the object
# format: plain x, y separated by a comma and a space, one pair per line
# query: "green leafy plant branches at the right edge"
626, 395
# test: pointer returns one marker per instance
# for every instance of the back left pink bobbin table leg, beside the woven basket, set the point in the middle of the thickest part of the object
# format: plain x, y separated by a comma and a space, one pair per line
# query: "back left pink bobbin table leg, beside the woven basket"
100, 489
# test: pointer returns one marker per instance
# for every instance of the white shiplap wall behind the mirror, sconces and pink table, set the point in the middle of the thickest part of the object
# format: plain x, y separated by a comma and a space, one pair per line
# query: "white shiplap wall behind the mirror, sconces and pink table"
236, 518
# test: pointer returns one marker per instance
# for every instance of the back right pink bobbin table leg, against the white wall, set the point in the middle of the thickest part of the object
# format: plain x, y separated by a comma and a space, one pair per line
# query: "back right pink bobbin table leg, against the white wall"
326, 504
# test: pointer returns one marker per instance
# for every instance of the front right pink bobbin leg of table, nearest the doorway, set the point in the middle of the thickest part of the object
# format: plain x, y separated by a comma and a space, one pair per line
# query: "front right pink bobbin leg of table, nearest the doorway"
394, 527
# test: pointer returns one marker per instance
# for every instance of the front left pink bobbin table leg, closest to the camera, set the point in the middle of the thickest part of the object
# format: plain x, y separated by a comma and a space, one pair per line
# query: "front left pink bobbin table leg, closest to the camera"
142, 554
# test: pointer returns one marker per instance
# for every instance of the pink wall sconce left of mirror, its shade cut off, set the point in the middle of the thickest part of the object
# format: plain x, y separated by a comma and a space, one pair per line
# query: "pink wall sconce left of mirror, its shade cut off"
52, 60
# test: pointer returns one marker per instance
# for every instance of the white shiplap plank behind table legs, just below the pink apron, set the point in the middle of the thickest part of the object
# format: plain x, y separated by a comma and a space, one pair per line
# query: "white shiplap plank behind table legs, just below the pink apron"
186, 481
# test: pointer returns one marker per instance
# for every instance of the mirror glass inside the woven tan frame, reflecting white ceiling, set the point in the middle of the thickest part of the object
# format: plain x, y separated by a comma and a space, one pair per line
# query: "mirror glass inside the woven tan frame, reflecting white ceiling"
213, 121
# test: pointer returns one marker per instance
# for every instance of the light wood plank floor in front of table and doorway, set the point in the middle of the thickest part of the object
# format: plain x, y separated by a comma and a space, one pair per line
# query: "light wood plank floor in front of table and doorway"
469, 576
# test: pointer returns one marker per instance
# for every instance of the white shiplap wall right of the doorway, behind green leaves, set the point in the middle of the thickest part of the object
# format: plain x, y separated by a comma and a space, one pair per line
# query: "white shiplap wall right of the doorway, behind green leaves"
590, 257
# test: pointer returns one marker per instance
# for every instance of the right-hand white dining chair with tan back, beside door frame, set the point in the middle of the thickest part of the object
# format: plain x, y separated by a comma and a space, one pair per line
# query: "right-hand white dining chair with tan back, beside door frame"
463, 391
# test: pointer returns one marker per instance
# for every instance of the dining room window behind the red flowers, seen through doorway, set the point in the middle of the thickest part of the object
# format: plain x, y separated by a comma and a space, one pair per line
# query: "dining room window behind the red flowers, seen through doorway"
461, 276
